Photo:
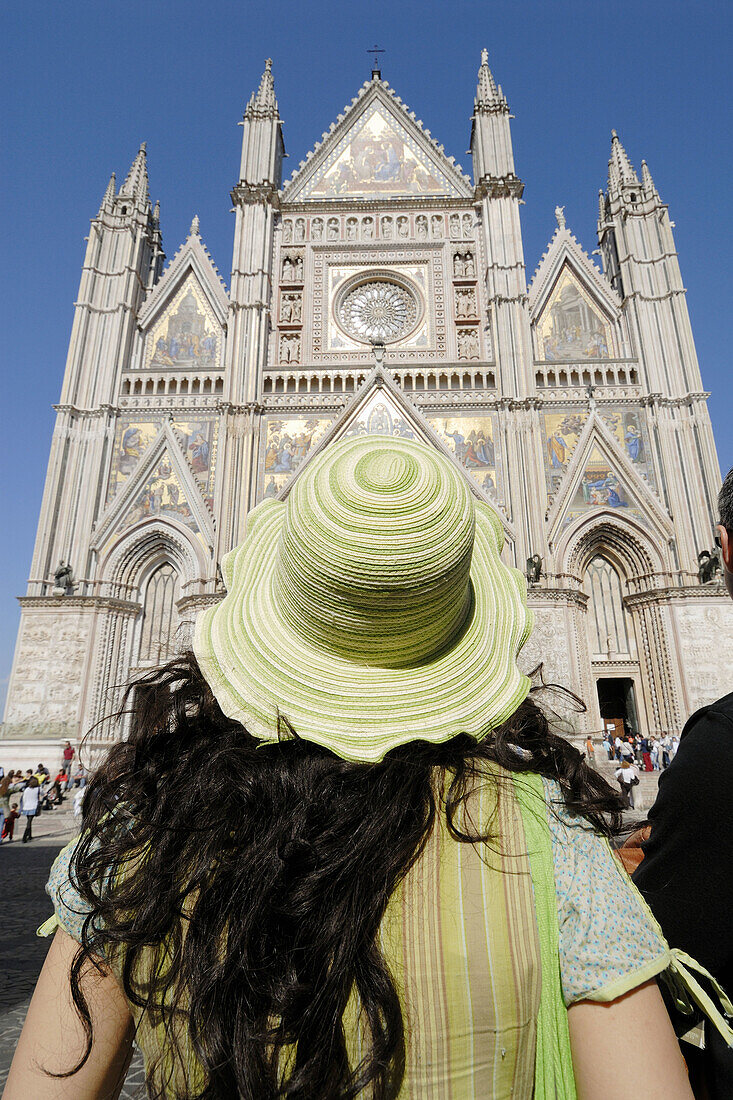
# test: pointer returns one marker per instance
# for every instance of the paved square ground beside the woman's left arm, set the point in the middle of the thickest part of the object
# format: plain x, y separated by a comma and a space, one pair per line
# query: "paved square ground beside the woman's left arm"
24, 873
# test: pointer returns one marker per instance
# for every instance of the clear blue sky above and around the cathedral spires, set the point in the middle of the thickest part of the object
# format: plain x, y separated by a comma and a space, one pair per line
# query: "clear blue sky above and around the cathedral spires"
85, 83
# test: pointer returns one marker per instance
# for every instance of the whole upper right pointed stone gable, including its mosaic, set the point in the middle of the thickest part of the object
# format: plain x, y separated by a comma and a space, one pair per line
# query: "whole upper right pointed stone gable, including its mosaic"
574, 310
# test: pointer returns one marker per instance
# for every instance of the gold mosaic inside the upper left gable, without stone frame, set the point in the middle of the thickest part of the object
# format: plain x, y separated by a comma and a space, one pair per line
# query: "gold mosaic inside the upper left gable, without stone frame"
188, 336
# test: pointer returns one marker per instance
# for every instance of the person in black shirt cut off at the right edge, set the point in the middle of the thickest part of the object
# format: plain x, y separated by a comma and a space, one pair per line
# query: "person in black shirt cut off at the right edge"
687, 872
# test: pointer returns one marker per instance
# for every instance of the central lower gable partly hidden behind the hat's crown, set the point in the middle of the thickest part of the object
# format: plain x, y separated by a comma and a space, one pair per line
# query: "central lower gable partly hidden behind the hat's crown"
381, 409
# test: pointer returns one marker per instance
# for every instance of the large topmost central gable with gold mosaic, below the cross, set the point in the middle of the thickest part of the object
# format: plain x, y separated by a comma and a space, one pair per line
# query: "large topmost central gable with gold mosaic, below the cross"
377, 150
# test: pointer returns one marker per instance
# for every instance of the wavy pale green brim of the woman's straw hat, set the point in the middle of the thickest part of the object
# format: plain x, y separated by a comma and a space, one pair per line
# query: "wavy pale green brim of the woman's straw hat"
259, 670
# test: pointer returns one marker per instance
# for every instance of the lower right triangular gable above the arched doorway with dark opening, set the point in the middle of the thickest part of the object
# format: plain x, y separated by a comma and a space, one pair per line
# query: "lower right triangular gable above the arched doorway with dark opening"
600, 478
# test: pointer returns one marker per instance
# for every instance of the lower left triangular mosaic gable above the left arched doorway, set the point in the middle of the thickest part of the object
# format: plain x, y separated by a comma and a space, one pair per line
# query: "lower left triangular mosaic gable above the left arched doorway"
163, 487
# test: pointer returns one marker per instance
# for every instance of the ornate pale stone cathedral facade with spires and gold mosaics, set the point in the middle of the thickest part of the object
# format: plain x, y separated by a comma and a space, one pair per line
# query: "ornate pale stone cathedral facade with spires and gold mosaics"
381, 291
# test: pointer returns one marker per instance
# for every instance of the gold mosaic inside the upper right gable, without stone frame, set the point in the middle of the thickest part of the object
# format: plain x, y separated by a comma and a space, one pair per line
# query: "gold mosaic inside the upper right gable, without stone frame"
572, 327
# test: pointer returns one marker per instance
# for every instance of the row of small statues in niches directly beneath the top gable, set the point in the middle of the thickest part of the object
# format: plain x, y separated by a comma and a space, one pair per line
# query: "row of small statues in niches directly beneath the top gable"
382, 227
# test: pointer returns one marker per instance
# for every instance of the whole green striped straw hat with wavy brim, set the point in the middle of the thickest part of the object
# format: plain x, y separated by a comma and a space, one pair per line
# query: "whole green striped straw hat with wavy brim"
371, 610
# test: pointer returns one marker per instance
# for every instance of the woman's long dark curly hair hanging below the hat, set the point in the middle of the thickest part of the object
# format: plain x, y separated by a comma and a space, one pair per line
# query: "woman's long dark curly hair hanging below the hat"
239, 888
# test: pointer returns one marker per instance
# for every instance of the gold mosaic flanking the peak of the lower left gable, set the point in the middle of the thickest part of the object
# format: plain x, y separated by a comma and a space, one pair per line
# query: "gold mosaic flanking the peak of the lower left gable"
135, 435
